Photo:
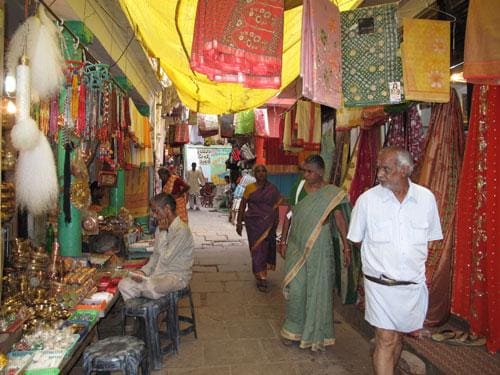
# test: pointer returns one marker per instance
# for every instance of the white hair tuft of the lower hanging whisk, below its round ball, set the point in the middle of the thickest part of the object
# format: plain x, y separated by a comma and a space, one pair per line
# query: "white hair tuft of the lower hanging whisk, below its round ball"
36, 179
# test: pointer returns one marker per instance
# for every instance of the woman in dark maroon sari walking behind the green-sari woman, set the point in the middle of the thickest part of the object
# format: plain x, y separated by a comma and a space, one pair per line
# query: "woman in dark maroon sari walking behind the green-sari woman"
261, 219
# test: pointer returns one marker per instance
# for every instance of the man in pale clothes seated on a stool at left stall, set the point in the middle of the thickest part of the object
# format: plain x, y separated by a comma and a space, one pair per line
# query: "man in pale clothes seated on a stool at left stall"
170, 266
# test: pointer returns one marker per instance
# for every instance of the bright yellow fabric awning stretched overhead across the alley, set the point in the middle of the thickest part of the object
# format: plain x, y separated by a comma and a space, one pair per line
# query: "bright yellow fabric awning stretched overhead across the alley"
166, 29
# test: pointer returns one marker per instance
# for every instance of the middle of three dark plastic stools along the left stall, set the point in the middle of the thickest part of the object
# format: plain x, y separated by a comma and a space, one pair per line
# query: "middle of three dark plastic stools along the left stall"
147, 310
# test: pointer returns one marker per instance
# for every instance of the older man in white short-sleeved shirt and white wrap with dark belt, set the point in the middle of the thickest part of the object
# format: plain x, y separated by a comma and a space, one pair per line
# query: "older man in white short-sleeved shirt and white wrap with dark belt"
394, 221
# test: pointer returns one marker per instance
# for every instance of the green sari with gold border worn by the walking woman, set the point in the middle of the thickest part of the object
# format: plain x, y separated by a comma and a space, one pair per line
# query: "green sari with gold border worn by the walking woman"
309, 266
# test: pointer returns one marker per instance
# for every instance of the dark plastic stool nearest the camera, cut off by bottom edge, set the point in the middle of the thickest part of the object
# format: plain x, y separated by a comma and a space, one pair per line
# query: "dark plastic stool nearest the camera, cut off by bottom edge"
125, 353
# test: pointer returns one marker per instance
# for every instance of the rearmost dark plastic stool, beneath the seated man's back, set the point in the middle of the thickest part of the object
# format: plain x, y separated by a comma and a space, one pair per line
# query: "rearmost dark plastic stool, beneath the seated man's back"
173, 319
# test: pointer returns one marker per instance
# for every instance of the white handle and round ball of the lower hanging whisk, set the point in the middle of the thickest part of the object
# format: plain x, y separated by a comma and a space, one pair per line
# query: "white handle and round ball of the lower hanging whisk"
25, 134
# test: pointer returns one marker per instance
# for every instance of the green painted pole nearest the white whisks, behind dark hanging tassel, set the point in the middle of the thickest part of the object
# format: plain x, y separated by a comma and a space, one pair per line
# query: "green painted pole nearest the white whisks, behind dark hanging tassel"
69, 235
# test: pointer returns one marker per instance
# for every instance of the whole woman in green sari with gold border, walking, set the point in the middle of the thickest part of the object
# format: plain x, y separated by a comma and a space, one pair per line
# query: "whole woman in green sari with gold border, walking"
308, 249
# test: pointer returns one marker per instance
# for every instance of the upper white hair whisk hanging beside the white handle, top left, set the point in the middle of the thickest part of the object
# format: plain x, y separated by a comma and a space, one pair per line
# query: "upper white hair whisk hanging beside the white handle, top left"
47, 62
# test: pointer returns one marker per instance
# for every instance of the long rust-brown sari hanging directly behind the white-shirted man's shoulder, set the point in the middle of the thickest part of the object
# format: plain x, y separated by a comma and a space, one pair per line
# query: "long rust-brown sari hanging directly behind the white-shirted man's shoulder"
439, 171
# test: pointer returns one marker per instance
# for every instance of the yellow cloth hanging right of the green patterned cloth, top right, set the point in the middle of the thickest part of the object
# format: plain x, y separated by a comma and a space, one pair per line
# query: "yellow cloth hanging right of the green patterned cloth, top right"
426, 60
